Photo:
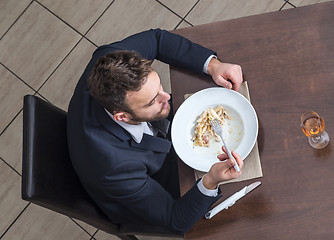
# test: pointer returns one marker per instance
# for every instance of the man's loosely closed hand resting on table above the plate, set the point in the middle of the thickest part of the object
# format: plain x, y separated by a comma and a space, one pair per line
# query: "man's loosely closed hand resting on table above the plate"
222, 72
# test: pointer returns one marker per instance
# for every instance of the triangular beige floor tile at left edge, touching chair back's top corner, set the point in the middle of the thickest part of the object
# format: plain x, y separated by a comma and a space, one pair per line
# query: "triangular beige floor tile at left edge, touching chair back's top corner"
12, 91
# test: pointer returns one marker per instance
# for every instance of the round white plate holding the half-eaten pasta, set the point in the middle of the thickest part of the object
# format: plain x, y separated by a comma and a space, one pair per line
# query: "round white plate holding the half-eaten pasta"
239, 133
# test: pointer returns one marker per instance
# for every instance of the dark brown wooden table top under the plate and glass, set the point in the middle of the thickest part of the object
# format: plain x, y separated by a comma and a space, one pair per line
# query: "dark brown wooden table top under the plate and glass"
288, 60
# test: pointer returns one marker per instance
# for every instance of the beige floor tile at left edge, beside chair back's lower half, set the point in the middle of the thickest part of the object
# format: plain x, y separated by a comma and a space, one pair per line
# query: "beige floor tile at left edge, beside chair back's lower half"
11, 204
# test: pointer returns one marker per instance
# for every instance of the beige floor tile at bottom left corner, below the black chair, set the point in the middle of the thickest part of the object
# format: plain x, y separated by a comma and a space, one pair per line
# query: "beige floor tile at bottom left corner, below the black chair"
39, 223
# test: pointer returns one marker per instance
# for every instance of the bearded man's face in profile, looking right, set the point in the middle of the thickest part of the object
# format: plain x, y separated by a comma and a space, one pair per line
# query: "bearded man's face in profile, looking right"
150, 102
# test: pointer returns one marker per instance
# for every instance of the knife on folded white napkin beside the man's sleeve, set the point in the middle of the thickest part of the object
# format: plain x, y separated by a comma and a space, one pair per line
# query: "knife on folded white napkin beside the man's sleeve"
231, 200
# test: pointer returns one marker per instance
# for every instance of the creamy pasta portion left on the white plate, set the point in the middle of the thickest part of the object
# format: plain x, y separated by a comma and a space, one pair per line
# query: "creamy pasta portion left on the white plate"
203, 130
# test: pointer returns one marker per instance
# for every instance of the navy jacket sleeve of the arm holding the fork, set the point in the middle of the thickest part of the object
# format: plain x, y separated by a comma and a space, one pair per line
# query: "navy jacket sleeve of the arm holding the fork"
129, 184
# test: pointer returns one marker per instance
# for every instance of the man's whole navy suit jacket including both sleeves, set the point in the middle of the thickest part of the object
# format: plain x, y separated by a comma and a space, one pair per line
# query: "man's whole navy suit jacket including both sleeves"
114, 169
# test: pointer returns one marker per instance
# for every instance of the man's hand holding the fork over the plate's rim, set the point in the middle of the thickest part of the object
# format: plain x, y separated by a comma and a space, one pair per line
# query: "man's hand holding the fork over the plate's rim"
222, 171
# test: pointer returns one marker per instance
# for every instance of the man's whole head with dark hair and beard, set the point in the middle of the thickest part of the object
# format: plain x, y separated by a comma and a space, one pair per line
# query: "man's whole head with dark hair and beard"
126, 85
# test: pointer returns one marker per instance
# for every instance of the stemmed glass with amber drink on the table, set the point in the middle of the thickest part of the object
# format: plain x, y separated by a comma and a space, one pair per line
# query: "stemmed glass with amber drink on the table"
313, 127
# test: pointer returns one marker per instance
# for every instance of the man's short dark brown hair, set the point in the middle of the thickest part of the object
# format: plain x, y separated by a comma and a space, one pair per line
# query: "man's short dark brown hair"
114, 75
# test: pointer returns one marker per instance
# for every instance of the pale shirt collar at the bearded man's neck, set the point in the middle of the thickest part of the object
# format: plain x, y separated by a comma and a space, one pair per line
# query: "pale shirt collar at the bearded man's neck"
136, 131
